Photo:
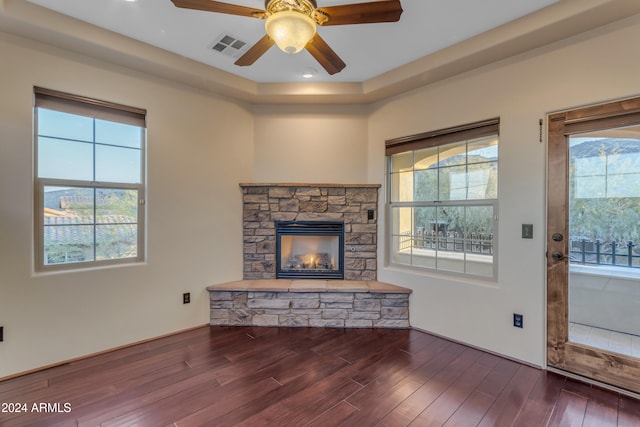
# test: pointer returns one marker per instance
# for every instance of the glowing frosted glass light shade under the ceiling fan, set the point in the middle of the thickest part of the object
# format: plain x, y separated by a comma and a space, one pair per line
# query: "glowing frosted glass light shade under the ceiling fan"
290, 30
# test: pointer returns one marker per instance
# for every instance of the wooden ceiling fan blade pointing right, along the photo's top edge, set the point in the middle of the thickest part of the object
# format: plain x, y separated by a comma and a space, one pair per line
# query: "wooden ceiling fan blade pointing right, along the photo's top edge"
362, 13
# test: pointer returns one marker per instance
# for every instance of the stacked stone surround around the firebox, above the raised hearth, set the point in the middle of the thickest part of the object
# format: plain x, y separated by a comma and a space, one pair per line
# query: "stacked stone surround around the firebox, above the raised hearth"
263, 204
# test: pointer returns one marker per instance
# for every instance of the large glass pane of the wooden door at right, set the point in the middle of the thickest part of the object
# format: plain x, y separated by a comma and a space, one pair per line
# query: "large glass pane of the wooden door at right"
604, 240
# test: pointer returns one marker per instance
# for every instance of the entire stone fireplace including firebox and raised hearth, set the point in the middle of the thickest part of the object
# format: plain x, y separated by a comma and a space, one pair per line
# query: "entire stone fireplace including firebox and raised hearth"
325, 276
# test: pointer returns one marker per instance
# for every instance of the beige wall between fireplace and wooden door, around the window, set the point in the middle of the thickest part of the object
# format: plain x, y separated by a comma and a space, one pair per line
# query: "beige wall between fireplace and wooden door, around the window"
600, 66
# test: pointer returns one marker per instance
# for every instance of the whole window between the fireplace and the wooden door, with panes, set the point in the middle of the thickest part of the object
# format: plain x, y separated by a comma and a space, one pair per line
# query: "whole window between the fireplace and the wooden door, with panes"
442, 199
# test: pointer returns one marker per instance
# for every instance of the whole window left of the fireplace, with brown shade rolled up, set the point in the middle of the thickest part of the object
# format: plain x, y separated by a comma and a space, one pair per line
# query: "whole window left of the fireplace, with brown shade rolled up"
89, 181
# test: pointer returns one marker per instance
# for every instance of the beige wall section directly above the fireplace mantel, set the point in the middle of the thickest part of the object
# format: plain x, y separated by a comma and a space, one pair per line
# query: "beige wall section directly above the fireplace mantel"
321, 144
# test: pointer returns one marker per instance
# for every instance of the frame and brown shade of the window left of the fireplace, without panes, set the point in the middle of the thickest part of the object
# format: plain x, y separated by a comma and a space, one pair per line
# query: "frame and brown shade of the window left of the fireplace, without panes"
96, 109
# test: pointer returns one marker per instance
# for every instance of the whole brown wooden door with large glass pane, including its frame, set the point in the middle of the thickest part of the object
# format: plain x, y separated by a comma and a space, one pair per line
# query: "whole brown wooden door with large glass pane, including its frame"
593, 280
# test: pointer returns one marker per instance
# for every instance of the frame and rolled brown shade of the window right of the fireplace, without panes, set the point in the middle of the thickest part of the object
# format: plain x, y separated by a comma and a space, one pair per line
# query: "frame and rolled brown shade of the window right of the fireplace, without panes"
432, 139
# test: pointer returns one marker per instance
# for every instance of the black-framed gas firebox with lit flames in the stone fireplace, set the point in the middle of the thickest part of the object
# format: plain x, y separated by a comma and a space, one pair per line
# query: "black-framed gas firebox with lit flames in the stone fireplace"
309, 250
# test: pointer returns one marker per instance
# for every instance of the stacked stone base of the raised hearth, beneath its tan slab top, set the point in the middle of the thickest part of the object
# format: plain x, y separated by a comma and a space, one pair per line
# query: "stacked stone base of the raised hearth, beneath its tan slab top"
233, 305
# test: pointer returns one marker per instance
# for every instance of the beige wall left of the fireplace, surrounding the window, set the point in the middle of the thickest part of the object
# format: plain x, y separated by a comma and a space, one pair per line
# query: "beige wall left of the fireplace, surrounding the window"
199, 149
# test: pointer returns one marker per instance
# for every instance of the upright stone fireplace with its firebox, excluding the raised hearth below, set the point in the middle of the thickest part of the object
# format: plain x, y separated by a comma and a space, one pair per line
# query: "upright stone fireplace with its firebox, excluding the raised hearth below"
317, 206
